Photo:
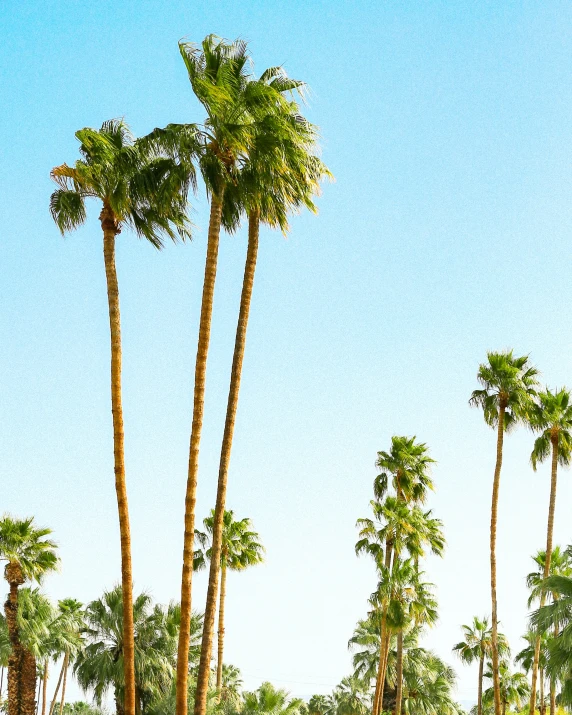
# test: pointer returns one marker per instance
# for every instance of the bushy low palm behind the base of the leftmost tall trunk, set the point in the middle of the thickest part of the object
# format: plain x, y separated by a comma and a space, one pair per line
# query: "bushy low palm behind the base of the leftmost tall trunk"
99, 666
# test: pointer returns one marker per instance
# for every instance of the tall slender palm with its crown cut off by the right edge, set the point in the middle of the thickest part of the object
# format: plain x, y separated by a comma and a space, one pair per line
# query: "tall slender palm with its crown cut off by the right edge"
552, 416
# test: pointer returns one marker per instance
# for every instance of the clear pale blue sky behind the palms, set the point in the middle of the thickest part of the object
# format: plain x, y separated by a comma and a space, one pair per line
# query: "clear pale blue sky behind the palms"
446, 234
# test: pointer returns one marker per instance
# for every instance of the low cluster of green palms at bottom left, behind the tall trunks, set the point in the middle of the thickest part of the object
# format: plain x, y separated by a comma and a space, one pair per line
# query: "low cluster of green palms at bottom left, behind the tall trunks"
34, 634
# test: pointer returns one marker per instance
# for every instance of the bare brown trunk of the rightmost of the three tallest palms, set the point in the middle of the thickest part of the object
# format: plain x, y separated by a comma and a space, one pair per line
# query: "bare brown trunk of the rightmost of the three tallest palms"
232, 404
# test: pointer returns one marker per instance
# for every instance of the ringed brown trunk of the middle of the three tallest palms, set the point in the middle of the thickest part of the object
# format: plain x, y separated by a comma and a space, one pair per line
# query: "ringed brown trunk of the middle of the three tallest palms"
181, 701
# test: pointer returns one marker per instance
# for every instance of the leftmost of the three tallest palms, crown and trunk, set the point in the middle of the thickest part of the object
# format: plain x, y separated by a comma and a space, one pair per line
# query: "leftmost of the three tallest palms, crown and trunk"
141, 188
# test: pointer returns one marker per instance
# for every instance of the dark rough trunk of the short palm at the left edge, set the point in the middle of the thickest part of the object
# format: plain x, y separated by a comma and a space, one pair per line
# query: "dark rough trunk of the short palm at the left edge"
15, 578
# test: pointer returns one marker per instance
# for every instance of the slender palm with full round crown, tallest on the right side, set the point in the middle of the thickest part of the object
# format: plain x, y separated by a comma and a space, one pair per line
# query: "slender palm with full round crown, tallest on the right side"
508, 387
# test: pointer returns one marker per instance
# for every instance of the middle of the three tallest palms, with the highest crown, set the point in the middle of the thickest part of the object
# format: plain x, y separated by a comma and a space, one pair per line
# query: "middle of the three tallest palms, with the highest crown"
218, 73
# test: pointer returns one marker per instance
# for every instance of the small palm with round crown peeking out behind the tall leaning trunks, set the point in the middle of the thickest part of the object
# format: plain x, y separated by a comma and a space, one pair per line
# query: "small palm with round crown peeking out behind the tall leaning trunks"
241, 548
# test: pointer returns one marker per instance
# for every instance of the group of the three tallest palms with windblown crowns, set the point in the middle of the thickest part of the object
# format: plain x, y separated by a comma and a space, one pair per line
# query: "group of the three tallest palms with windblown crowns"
257, 156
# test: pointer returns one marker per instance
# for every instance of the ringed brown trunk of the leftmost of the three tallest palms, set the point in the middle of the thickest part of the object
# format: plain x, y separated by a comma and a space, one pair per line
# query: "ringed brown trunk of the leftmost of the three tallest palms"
110, 231
